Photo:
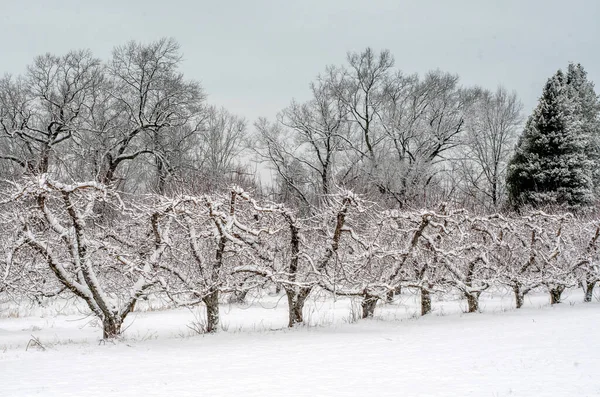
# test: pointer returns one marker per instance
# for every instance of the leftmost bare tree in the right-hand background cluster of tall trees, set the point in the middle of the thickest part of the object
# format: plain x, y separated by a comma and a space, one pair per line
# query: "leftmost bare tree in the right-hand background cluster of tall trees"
306, 144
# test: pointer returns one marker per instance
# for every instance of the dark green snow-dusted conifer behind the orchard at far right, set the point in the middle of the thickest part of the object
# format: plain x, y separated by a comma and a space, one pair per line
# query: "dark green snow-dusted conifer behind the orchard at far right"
551, 165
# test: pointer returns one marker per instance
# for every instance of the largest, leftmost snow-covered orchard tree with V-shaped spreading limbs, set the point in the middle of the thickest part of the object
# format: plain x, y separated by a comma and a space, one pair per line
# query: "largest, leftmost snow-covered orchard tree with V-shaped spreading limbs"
108, 266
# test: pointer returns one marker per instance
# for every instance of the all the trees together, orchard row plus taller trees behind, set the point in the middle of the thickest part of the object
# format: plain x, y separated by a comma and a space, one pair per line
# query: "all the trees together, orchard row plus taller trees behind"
117, 183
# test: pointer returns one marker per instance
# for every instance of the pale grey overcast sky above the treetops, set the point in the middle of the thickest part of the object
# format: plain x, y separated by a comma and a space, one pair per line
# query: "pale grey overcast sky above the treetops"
253, 57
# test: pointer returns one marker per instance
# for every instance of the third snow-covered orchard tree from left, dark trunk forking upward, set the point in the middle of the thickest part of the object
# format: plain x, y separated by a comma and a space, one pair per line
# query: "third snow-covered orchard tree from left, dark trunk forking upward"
297, 255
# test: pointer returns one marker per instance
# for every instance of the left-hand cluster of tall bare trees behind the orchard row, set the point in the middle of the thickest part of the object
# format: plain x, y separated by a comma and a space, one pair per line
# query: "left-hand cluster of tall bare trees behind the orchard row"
133, 122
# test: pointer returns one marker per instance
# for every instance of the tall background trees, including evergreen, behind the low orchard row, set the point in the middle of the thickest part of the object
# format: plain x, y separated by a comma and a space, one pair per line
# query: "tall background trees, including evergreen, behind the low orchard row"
404, 140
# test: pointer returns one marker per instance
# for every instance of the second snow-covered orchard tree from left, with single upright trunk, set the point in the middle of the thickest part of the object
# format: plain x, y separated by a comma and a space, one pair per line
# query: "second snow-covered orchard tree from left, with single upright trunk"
205, 245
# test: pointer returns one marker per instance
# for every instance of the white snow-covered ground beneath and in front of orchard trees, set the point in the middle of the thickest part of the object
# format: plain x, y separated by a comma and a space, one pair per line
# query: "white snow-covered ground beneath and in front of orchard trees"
535, 351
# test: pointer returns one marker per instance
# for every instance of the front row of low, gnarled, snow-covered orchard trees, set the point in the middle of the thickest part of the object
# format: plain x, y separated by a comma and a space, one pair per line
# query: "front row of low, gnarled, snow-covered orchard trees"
195, 248
